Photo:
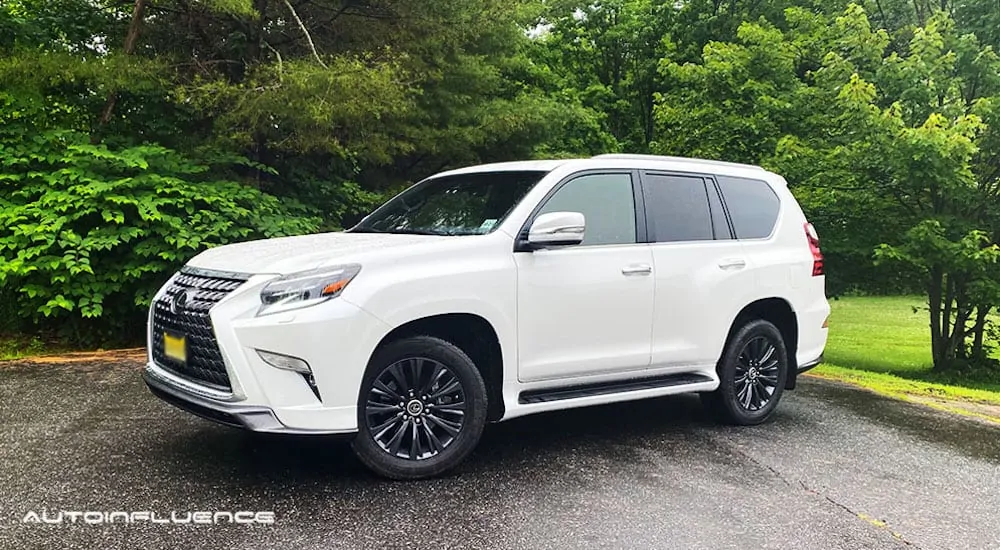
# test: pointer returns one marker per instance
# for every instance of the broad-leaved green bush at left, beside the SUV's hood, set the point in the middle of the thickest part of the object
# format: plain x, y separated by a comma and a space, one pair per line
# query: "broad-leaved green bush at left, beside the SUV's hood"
86, 231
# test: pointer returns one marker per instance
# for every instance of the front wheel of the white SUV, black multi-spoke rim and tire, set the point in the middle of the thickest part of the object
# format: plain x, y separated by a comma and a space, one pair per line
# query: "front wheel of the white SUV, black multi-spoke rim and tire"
447, 417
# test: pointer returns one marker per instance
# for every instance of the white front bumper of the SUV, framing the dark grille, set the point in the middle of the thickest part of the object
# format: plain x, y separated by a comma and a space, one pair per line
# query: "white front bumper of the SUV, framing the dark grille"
335, 338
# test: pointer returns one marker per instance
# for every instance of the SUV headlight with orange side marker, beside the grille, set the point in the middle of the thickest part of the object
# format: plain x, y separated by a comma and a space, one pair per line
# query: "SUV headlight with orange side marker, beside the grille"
306, 288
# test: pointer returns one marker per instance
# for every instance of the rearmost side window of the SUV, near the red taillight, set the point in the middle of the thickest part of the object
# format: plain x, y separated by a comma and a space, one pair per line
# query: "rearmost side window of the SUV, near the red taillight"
753, 206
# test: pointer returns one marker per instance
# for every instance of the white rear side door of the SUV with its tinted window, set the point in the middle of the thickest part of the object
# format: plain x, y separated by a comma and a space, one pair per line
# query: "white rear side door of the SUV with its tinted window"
702, 274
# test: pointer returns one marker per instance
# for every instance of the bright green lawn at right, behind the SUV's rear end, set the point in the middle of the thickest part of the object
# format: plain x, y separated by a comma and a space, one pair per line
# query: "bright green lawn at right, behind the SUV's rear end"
882, 344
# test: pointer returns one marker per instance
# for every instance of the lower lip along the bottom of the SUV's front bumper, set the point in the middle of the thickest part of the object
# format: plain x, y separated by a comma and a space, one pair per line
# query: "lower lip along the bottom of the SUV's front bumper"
253, 418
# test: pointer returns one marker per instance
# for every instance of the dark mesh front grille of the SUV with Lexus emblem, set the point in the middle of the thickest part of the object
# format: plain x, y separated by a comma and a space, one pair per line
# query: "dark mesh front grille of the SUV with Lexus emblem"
188, 317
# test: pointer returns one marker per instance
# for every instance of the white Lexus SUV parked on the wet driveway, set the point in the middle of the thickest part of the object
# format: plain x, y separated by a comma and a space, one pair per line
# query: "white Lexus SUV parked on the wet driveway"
491, 292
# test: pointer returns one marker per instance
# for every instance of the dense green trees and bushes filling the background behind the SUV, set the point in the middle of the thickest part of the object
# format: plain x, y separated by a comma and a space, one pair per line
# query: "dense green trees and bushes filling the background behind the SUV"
883, 116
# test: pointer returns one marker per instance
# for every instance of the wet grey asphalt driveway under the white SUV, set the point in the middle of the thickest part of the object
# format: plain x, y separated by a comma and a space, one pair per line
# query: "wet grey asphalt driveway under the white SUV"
836, 468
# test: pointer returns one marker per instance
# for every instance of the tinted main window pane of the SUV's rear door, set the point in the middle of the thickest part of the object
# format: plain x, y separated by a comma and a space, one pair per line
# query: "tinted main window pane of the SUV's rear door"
677, 208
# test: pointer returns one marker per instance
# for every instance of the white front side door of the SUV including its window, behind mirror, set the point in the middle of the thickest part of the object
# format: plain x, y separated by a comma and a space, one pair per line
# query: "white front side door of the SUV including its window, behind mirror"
587, 309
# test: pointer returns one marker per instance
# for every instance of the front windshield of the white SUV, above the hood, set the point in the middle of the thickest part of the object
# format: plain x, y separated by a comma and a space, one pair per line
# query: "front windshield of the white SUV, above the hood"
465, 204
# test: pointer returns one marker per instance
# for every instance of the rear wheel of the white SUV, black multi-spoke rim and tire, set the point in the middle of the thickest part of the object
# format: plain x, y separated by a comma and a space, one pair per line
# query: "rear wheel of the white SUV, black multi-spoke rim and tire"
755, 357
